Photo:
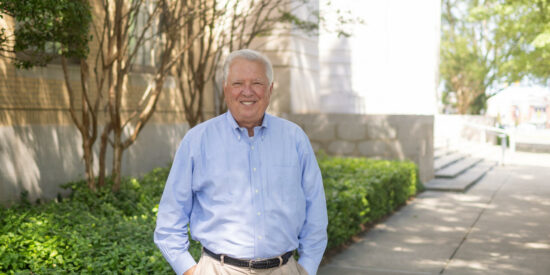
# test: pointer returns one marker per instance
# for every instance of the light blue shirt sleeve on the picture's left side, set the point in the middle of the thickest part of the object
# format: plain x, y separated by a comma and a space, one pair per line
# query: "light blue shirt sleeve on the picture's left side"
174, 211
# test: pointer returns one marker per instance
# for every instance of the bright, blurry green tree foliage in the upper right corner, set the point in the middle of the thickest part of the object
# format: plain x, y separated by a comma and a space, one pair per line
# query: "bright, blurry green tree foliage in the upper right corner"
486, 45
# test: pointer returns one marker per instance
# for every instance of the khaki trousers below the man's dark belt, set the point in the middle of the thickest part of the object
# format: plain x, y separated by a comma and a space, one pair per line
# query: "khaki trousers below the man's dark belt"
209, 266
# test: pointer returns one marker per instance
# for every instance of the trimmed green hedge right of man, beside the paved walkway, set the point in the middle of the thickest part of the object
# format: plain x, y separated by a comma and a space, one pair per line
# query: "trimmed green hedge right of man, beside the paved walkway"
361, 190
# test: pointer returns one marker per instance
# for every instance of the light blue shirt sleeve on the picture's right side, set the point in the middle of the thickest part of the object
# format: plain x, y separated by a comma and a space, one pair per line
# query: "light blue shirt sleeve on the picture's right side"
313, 237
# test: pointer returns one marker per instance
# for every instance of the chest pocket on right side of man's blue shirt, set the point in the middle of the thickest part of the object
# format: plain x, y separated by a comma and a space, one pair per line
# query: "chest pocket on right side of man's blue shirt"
284, 183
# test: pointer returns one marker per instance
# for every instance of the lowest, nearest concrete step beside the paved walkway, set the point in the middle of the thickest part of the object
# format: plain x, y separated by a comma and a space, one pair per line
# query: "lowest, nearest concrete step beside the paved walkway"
462, 182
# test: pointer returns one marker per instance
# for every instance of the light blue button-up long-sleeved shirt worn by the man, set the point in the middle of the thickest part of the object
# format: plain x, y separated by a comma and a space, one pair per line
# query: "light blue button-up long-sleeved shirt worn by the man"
245, 197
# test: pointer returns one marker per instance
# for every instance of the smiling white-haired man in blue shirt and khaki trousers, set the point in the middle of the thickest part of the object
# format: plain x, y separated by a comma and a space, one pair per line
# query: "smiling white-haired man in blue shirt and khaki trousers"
248, 185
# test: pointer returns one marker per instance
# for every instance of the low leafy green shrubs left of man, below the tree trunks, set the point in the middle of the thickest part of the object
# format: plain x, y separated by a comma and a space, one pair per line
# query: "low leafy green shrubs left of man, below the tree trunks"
87, 233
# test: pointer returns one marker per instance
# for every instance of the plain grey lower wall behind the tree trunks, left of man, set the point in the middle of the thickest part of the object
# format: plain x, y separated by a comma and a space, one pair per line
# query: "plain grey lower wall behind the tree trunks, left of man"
40, 158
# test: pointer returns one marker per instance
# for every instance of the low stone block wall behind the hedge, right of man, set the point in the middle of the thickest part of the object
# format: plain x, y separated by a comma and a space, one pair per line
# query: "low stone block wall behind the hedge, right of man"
398, 137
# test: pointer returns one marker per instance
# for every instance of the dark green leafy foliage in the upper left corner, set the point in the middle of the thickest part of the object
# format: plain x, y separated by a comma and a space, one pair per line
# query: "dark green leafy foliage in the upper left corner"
45, 29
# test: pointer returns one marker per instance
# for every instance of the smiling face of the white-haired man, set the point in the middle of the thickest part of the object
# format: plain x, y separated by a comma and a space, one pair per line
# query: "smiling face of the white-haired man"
247, 92
